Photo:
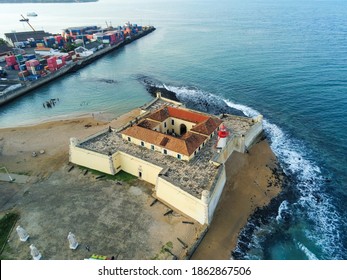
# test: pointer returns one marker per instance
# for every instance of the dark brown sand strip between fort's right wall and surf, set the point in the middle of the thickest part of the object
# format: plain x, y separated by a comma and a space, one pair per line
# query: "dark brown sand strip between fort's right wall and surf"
251, 184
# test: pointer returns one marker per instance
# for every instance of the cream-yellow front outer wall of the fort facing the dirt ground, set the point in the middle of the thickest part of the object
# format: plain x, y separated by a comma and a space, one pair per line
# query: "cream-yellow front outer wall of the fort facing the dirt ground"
200, 210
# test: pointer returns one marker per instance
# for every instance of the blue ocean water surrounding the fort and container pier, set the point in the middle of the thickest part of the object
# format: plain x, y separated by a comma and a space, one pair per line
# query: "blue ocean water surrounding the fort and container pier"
286, 60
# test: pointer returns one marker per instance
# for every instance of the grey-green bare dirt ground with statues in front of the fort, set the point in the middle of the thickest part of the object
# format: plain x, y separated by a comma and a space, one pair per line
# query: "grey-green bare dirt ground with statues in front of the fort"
112, 219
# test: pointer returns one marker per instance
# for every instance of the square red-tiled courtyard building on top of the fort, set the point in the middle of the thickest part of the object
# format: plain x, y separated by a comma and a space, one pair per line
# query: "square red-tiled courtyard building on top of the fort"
177, 132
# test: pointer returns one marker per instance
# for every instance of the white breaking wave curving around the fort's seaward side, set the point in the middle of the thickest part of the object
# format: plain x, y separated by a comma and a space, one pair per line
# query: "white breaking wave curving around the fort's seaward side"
309, 210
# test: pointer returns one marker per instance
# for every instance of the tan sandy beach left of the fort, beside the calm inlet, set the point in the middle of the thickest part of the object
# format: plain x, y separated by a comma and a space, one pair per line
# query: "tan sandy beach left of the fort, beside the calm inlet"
18, 143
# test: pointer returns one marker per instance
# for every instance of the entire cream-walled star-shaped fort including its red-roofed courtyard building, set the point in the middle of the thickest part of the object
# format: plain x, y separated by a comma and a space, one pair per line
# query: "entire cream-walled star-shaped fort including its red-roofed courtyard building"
191, 188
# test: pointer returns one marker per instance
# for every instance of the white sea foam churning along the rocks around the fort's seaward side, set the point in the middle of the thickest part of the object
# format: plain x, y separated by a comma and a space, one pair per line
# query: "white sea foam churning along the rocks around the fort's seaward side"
313, 207
